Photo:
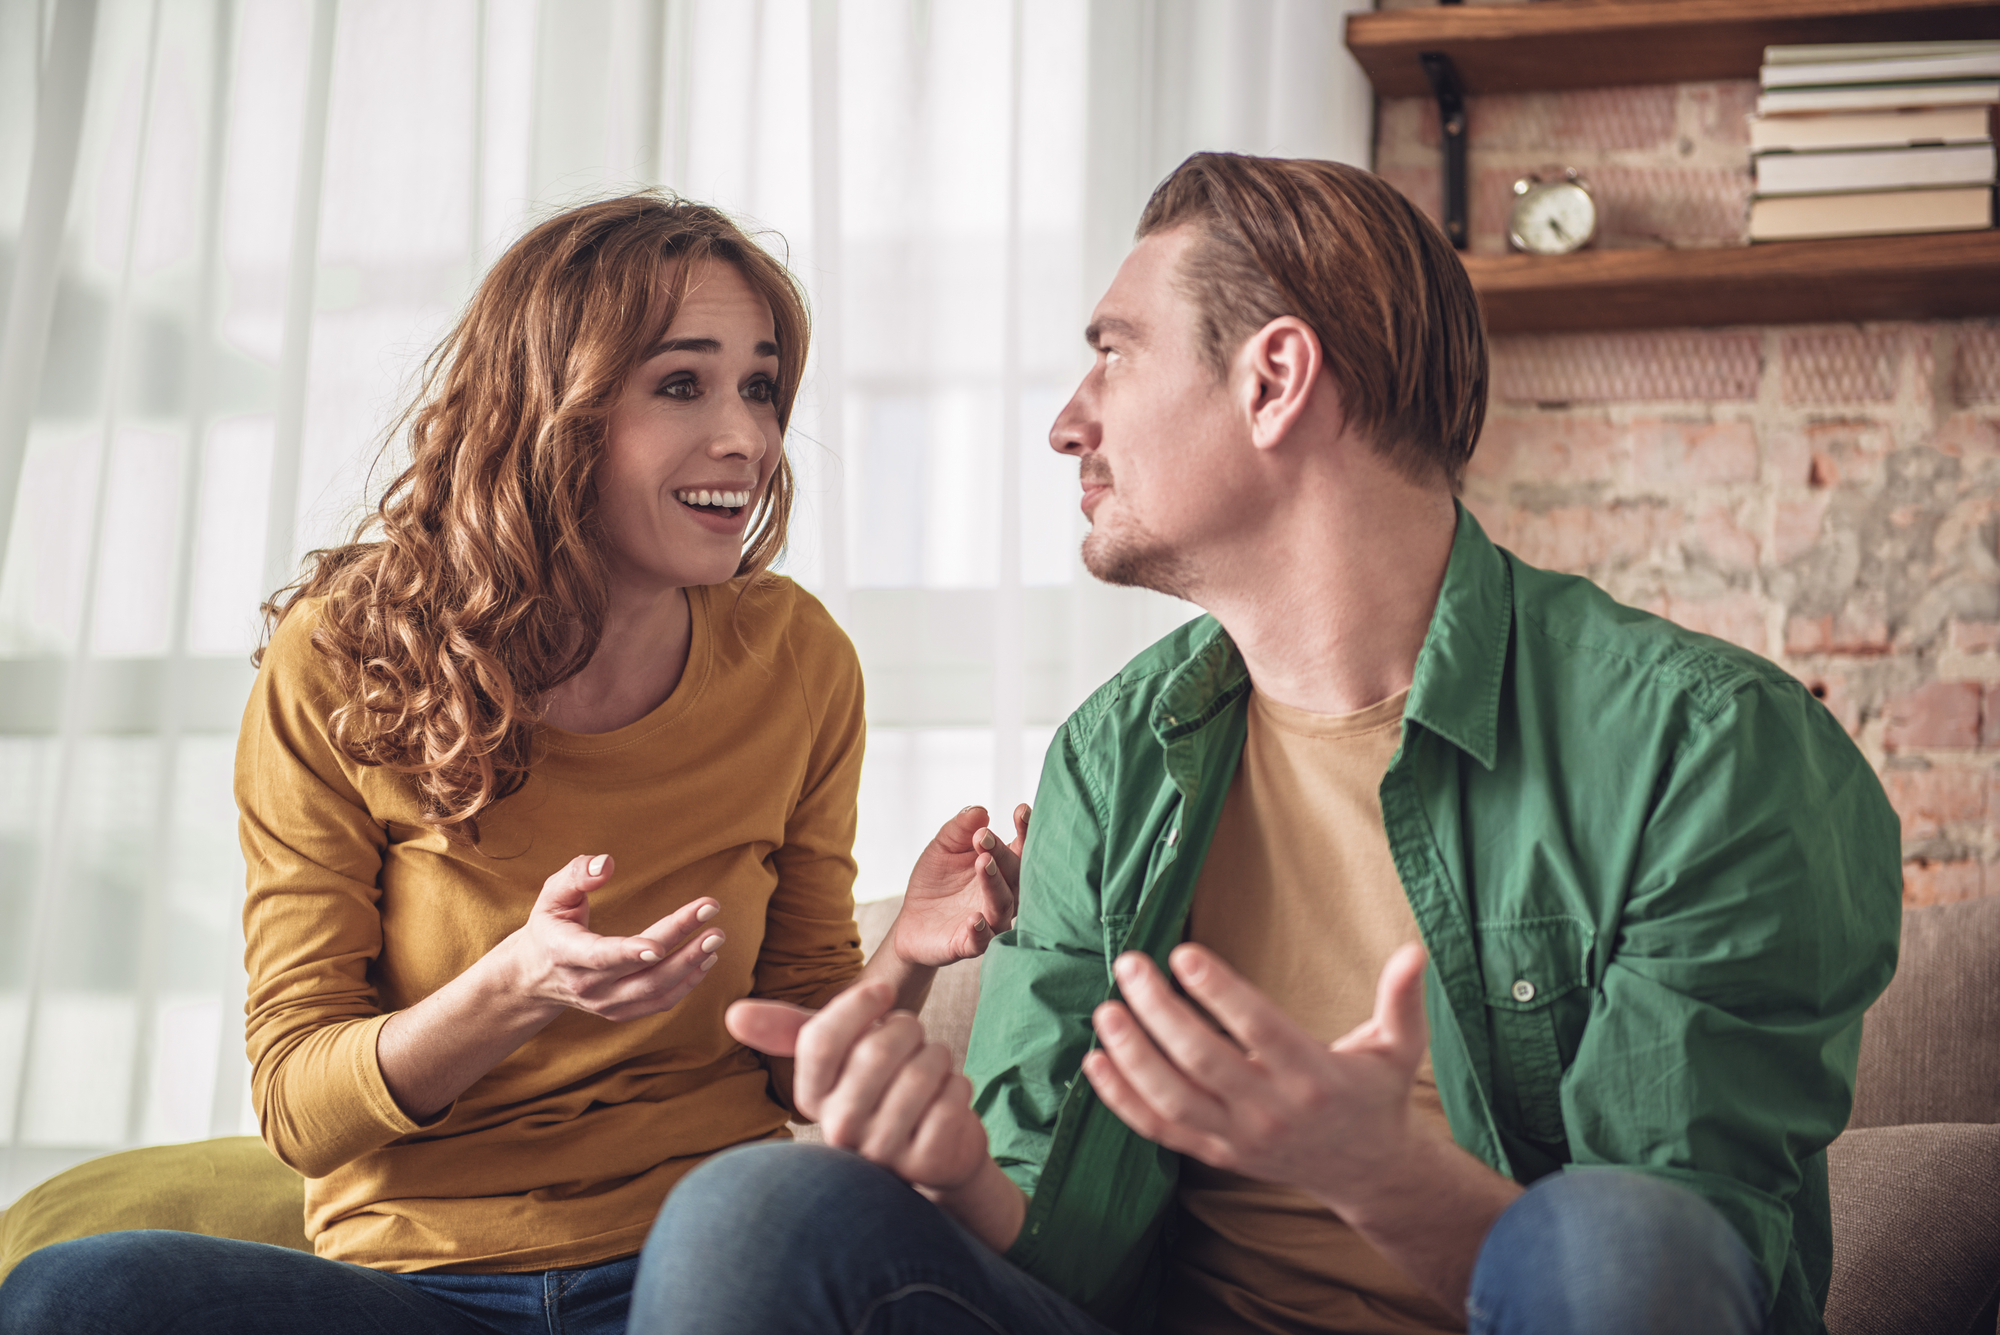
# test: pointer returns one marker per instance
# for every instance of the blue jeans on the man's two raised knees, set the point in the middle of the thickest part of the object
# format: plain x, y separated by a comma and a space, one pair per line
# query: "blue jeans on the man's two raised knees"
805, 1240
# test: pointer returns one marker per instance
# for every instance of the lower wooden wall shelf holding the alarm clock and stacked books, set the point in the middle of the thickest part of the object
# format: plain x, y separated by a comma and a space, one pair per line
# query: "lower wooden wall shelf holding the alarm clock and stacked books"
1937, 277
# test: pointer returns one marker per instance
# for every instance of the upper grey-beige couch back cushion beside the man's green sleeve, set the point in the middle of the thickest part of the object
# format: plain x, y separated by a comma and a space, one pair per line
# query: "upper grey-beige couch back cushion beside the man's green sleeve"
1931, 1046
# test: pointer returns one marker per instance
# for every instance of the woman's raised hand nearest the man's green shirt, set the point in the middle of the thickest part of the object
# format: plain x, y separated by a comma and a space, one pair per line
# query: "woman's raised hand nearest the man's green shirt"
963, 890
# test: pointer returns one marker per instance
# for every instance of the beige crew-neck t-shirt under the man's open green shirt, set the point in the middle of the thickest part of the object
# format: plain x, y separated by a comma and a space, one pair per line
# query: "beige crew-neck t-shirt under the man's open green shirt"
1301, 896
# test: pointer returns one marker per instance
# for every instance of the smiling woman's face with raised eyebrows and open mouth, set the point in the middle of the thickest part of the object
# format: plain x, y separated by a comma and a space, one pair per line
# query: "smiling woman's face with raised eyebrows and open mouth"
693, 441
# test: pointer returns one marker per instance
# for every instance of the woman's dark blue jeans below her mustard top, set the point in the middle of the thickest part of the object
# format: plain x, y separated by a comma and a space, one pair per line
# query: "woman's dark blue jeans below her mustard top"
185, 1284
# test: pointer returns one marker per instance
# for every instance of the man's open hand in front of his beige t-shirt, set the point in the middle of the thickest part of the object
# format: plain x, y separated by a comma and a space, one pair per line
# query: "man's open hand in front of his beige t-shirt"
1273, 1104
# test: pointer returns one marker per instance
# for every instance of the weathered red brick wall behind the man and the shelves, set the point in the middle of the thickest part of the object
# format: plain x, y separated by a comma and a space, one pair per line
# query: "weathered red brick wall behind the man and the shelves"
1823, 495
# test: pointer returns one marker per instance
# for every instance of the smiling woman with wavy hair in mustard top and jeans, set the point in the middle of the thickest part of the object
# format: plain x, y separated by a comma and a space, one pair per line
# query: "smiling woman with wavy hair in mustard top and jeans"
535, 780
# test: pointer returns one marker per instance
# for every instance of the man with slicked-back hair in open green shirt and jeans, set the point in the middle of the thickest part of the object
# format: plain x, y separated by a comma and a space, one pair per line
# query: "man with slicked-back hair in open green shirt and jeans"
1657, 886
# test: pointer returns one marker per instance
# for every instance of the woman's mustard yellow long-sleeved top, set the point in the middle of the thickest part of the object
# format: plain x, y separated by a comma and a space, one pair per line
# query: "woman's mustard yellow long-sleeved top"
741, 786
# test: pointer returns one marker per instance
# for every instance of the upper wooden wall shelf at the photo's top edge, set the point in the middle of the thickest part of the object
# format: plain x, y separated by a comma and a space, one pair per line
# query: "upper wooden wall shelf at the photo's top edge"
1607, 43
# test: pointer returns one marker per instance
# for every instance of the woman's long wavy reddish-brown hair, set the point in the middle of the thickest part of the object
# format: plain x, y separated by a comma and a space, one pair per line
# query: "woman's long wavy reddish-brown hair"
477, 585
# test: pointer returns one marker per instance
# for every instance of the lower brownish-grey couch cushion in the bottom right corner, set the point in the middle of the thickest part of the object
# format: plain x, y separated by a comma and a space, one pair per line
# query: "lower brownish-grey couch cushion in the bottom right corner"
1917, 1230
